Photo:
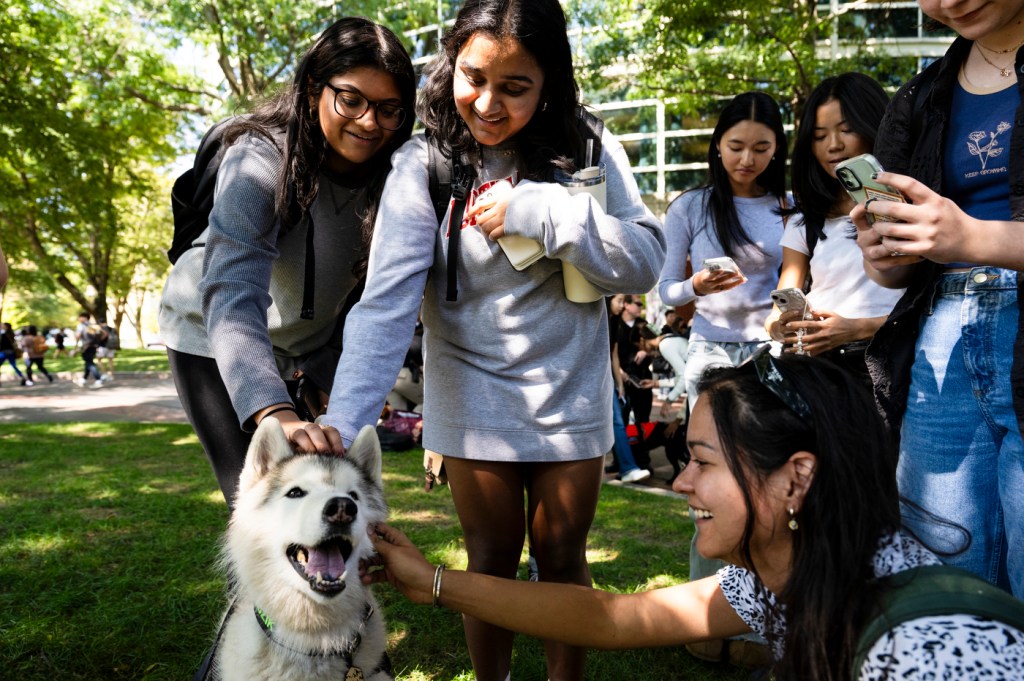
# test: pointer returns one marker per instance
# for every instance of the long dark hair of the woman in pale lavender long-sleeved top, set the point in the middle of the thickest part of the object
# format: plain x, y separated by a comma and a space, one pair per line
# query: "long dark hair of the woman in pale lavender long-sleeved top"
719, 205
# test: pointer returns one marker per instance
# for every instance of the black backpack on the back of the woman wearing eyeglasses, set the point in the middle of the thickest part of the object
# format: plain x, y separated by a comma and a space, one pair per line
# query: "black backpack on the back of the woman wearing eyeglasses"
192, 198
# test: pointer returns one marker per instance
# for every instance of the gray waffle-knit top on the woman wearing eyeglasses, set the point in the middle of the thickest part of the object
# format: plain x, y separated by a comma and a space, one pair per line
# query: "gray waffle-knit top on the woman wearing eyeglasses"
238, 294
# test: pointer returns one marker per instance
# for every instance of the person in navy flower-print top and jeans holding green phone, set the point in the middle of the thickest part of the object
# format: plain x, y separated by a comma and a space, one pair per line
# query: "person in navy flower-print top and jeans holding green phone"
948, 364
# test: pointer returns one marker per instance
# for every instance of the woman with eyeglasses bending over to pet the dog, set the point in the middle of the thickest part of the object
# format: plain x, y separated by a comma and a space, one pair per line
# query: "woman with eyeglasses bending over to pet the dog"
262, 302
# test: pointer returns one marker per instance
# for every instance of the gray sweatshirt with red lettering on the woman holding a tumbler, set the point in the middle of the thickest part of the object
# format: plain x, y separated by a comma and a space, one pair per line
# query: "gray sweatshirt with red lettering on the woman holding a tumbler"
514, 370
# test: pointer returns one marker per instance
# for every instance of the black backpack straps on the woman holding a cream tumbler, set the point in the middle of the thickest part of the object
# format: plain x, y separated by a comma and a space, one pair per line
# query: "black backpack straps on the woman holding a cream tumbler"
450, 185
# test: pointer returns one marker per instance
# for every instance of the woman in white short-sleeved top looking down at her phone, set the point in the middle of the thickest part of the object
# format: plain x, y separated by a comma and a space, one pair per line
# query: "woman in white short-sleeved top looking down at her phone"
841, 121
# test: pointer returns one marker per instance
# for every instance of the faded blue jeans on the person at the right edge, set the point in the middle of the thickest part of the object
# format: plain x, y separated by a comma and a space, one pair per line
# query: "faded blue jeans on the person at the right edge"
962, 457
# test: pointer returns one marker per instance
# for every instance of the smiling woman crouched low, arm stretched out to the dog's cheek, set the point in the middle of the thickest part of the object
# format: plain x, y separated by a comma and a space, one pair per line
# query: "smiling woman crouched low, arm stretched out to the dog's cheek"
793, 482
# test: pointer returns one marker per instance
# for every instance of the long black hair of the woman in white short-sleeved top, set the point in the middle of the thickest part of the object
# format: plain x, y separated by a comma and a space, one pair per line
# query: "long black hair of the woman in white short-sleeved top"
864, 103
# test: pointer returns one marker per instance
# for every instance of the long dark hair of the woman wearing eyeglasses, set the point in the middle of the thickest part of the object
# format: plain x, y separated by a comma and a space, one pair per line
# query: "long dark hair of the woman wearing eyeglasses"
347, 45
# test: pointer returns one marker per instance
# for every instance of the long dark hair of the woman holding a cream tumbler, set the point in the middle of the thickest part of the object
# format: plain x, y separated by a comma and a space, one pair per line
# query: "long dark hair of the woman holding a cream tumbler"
551, 138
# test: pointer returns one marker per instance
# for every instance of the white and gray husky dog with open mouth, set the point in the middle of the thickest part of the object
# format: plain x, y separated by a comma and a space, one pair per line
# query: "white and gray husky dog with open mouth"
293, 548
